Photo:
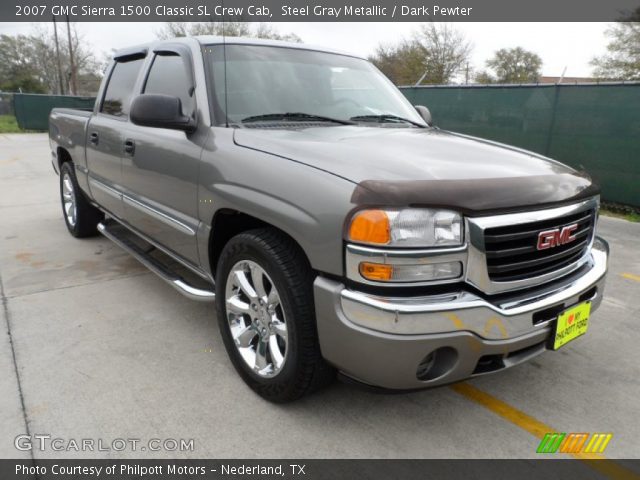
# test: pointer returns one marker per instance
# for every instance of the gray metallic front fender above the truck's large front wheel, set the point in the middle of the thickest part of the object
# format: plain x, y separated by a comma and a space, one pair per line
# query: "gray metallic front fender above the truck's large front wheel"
308, 204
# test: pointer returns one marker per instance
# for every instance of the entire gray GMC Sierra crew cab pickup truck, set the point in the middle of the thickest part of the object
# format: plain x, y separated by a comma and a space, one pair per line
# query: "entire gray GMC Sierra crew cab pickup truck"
335, 228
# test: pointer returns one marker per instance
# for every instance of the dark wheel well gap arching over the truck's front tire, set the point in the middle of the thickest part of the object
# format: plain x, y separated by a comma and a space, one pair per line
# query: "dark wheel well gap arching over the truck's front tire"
229, 223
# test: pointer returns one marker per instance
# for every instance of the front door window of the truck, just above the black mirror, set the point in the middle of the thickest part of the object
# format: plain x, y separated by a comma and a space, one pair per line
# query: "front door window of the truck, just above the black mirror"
169, 77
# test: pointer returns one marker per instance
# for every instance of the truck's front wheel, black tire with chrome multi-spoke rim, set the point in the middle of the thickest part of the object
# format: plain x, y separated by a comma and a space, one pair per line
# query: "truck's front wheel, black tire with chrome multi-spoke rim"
265, 310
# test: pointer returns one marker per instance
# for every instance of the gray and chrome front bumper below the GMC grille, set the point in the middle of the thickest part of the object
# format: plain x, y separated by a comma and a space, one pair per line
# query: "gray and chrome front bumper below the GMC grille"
382, 341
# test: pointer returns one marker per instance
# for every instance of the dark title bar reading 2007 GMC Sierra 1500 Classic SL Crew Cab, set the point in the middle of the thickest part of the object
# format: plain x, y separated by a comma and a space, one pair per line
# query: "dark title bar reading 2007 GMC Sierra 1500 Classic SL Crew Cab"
318, 10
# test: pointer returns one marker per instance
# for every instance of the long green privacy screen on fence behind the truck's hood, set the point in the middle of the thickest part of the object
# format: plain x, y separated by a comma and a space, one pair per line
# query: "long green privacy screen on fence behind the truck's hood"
592, 127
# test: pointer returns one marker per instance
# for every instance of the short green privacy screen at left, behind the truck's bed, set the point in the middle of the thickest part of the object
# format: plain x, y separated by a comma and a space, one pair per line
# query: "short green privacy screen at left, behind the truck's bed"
32, 111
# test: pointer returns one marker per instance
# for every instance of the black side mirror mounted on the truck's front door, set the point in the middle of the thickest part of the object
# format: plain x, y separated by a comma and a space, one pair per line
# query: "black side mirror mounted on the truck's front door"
160, 111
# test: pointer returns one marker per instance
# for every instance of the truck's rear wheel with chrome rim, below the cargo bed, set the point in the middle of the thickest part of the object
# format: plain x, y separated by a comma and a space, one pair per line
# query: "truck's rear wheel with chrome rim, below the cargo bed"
80, 216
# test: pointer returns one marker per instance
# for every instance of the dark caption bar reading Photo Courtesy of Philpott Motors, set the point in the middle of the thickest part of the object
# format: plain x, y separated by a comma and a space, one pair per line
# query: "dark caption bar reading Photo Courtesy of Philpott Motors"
114, 469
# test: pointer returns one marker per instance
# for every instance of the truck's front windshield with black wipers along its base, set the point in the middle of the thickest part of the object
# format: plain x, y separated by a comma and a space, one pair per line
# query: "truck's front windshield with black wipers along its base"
276, 82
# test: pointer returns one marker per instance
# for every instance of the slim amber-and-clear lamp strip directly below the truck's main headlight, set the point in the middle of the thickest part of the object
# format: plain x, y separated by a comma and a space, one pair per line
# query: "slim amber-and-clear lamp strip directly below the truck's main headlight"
410, 273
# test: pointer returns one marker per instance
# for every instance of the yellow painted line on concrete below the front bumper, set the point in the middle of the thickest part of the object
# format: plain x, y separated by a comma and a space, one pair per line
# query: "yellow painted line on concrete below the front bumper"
539, 429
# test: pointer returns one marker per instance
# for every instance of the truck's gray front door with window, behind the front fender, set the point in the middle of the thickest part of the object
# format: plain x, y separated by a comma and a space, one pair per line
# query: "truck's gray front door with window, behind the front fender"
160, 166
